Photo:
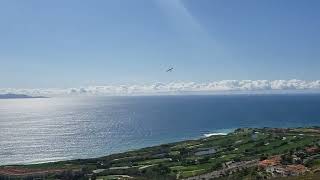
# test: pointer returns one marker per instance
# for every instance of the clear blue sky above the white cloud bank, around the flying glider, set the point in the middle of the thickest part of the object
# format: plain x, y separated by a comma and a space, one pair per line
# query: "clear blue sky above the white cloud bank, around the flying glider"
77, 43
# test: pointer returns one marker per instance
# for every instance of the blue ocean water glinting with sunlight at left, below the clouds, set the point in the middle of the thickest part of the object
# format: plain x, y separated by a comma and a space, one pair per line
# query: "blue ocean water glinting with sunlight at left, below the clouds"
53, 129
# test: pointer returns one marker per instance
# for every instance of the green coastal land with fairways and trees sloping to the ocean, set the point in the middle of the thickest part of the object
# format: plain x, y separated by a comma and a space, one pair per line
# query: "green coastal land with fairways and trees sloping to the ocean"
245, 147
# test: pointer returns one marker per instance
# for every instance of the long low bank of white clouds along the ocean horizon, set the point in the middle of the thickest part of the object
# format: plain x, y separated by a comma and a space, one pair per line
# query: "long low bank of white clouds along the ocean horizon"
224, 86
